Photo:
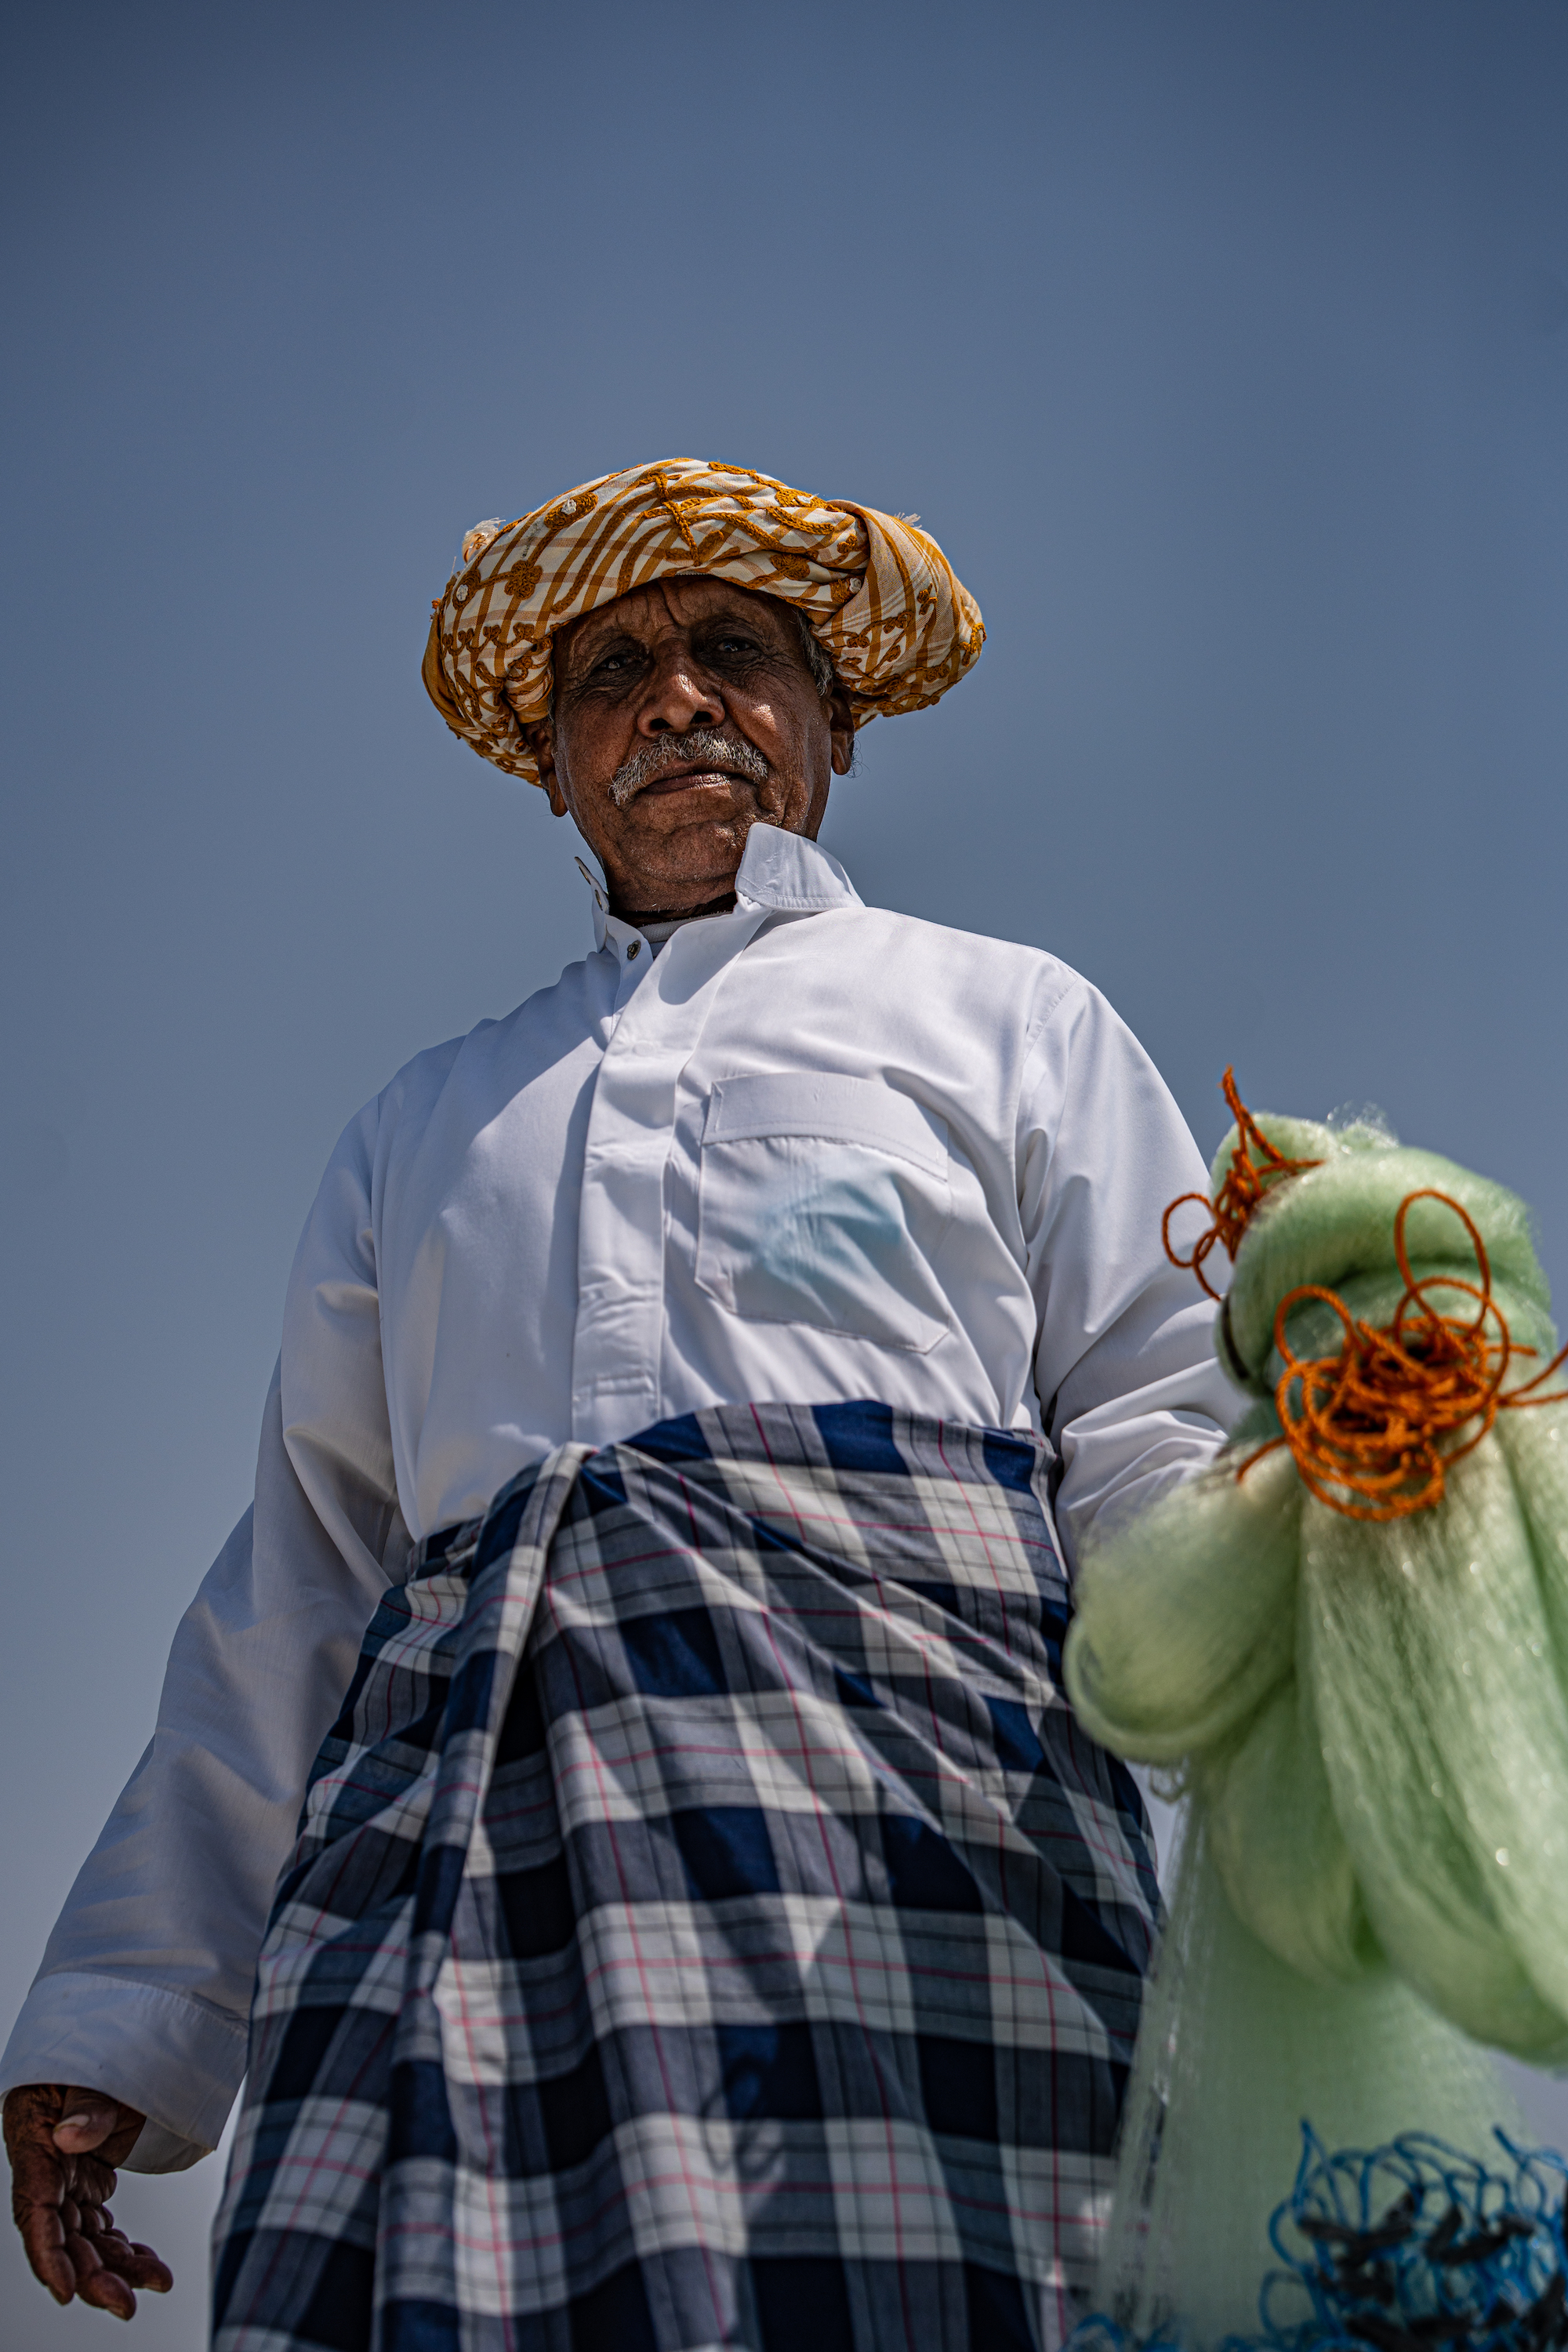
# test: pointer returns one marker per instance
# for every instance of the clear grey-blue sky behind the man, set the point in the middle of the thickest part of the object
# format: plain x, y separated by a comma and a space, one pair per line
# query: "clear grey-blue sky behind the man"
1224, 349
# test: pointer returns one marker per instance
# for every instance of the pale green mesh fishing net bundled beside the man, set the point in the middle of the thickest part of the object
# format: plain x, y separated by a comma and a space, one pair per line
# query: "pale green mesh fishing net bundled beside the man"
1369, 1728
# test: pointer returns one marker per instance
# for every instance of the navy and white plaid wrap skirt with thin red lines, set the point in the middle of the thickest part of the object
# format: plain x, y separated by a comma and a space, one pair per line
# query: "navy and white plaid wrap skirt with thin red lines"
709, 1925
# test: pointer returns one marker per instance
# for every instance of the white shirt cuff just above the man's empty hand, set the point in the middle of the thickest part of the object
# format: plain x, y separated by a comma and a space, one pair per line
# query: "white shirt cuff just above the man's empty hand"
177, 2059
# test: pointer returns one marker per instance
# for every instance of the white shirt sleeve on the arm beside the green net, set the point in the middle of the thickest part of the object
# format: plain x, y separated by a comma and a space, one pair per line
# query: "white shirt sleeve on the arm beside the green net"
1127, 1377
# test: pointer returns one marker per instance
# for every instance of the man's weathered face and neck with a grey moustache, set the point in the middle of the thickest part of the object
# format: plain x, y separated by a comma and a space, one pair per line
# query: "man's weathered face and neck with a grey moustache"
683, 716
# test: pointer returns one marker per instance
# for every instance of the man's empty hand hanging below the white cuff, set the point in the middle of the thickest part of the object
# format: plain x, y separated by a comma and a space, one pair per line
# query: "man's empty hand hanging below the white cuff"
65, 2146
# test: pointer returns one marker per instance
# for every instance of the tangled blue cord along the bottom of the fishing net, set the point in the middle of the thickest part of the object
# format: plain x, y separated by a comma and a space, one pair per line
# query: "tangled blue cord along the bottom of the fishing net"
1405, 2250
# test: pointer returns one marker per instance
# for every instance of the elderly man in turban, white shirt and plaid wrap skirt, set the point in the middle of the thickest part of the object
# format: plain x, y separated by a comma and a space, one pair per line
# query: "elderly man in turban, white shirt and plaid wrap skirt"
706, 1923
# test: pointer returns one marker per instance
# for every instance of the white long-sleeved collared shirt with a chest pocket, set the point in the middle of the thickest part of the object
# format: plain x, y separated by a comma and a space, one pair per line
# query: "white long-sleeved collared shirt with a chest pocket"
805, 1151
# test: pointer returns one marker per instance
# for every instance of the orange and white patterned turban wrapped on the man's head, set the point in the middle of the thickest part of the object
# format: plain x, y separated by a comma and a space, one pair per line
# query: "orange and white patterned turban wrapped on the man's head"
878, 594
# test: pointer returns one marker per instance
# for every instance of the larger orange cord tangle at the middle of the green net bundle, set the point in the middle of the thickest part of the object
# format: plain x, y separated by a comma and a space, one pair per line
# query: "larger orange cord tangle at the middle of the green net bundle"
1374, 1422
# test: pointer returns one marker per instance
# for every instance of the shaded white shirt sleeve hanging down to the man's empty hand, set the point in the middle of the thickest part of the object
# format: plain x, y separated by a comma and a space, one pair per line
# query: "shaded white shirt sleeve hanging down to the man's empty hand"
147, 1982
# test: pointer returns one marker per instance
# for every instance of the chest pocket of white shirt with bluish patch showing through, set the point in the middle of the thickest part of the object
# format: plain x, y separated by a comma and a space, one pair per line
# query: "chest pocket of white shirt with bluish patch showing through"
824, 1201
